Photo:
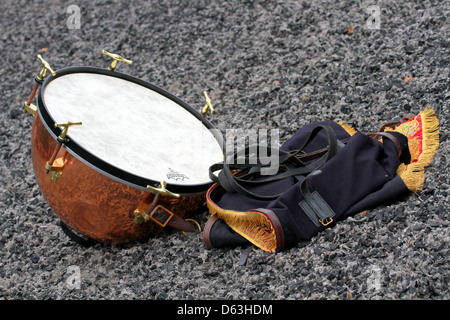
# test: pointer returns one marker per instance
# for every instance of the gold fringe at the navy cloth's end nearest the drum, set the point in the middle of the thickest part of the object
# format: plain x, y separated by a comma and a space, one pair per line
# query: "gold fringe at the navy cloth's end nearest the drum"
253, 226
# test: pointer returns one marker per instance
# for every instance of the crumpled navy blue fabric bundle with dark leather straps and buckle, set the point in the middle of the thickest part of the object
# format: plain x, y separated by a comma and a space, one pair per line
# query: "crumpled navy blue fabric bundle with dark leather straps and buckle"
326, 173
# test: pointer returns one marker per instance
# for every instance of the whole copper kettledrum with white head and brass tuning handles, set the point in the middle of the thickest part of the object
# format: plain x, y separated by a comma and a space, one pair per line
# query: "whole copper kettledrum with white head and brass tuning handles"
117, 158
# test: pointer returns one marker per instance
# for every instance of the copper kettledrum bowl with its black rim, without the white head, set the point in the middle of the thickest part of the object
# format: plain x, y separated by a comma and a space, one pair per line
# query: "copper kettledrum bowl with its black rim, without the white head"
96, 199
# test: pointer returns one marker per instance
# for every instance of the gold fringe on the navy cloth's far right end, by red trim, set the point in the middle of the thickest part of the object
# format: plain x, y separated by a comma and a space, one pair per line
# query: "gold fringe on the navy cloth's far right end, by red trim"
414, 174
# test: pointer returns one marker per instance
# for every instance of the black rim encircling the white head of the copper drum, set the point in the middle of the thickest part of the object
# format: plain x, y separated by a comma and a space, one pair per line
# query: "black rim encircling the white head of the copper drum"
104, 167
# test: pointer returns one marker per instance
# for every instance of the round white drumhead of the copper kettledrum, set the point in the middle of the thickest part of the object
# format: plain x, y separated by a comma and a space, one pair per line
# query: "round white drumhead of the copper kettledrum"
133, 128
